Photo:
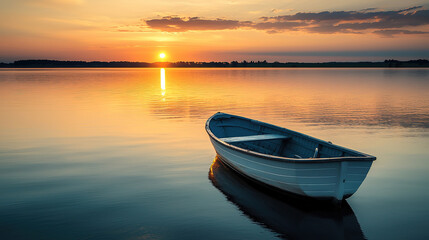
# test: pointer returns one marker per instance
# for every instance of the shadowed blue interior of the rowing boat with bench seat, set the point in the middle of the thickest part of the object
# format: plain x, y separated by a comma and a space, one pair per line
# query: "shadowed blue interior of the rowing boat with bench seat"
272, 140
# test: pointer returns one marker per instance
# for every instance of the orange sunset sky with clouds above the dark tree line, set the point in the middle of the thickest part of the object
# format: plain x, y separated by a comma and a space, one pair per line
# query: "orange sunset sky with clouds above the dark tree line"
217, 30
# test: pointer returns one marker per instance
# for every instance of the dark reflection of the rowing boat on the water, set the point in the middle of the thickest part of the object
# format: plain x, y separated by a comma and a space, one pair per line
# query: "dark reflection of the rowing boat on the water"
289, 217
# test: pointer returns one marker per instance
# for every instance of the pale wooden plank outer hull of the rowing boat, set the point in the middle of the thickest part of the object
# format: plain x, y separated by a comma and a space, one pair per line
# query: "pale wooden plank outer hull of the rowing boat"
335, 180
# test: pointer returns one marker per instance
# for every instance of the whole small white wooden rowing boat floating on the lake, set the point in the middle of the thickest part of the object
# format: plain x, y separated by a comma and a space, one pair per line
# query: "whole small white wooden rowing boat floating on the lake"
286, 160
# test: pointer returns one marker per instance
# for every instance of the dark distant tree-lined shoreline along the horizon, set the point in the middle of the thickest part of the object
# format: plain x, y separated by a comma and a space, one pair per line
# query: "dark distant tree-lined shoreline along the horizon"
420, 63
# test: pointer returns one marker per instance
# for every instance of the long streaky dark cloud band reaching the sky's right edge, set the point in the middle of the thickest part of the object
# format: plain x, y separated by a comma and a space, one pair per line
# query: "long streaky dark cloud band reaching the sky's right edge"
386, 23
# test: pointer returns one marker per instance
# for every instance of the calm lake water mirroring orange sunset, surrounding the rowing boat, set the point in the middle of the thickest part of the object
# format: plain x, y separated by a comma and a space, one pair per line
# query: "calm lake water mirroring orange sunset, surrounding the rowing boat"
123, 154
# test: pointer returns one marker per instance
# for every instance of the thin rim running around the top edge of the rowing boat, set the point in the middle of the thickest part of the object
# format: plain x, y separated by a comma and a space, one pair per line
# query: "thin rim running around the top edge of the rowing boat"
365, 157
